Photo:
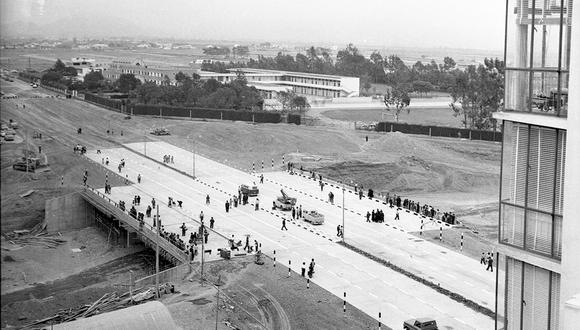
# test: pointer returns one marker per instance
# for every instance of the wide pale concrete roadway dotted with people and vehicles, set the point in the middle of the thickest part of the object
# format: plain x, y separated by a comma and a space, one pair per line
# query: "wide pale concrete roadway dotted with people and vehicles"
371, 287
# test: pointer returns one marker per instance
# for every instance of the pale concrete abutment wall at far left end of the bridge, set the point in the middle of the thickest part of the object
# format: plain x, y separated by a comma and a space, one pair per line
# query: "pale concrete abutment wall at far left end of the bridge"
68, 212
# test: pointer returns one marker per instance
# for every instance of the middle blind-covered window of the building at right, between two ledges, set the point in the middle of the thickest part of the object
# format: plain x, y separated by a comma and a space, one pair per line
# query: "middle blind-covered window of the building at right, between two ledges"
532, 188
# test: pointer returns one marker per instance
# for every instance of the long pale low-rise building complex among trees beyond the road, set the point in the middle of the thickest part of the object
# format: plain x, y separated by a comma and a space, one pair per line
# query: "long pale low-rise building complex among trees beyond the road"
268, 82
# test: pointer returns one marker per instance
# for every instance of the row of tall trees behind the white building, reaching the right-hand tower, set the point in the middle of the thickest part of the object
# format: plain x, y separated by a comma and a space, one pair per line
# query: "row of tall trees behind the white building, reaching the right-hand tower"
477, 90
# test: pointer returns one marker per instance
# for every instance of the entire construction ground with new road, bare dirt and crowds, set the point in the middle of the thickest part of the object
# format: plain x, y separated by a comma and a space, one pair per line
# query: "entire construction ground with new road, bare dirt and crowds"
110, 219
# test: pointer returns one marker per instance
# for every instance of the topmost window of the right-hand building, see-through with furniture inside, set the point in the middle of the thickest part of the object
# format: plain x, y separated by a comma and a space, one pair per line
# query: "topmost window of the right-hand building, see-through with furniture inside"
537, 56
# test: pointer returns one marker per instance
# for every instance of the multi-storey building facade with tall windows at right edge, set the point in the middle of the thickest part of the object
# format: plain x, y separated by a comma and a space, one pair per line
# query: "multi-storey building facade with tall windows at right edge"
538, 282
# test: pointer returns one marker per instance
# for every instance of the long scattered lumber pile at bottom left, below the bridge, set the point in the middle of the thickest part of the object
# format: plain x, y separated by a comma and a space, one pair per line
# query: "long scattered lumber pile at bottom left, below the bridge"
107, 303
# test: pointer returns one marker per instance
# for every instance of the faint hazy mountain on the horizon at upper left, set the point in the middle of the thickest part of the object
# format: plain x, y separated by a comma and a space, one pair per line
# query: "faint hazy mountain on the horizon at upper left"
73, 27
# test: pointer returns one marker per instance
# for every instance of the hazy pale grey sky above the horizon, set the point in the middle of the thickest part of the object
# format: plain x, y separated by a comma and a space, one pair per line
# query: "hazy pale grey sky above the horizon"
413, 23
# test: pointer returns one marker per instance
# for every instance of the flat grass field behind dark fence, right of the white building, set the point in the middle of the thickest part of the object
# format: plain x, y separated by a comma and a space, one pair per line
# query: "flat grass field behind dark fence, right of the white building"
423, 116
